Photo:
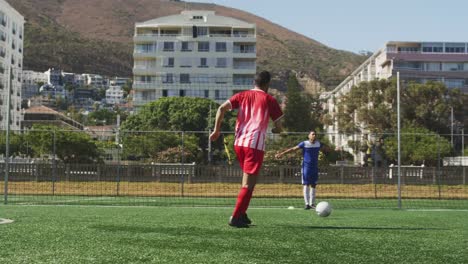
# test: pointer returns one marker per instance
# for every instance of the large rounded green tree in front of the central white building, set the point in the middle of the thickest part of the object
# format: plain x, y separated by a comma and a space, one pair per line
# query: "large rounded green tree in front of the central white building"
173, 114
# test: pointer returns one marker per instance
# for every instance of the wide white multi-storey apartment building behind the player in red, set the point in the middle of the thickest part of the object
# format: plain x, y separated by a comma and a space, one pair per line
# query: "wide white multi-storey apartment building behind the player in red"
194, 53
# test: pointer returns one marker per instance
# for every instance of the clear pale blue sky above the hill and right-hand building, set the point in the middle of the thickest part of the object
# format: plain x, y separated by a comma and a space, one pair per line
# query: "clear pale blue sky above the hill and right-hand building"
356, 25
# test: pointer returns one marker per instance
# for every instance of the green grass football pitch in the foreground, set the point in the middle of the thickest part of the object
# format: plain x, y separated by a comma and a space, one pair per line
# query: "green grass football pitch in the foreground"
146, 234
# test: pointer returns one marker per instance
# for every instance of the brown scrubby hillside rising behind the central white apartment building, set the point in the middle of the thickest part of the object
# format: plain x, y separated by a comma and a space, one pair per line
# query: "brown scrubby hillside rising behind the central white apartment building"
96, 36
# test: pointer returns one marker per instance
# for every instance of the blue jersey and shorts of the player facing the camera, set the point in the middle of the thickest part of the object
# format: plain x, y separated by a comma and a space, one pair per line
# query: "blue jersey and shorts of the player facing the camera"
310, 154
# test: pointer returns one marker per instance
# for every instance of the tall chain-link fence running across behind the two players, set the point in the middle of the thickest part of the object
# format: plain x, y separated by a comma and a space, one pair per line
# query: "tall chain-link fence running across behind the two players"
184, 168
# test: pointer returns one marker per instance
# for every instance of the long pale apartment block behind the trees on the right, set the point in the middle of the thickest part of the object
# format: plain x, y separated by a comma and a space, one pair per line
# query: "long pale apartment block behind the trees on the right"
446, 62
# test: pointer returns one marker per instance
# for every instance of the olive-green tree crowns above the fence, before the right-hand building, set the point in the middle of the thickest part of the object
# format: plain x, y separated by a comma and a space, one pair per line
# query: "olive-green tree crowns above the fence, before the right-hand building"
372, 106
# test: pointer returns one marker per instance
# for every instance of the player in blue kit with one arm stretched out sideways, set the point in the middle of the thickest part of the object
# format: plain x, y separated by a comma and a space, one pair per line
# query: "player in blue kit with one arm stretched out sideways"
310, 156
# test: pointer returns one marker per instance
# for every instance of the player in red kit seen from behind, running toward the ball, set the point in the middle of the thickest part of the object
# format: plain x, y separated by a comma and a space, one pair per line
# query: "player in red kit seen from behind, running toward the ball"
255, 108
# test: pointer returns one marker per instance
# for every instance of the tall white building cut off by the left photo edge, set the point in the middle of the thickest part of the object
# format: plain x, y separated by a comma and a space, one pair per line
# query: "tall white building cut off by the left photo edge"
11, 58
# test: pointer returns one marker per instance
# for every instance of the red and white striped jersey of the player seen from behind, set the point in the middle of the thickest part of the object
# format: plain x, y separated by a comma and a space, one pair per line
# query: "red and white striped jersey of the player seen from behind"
256, 107
